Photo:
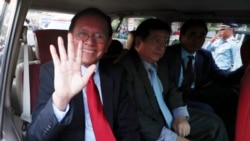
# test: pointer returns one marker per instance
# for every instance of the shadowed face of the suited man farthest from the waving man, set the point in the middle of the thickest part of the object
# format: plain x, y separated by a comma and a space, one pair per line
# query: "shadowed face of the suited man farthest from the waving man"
193, 39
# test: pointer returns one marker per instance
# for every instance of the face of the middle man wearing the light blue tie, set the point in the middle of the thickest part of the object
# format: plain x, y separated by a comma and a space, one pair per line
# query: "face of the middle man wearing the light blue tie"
153, 47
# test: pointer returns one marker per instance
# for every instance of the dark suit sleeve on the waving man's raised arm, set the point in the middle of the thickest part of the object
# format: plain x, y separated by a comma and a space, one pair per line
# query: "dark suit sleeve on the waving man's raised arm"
44, 125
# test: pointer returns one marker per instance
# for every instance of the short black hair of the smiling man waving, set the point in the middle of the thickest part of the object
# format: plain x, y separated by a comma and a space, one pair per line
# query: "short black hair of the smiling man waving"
91, 11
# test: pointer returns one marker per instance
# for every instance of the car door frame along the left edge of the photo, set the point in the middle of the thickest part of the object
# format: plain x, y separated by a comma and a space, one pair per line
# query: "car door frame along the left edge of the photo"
12, 13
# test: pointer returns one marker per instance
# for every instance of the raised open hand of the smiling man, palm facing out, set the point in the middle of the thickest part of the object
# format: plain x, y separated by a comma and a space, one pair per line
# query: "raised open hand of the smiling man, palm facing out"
68, 80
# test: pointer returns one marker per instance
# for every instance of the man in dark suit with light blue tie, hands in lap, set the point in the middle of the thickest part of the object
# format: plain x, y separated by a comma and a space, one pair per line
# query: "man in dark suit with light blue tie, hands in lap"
151, 38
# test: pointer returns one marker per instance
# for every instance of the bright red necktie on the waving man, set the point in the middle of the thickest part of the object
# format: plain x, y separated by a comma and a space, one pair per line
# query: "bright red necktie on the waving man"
99, 121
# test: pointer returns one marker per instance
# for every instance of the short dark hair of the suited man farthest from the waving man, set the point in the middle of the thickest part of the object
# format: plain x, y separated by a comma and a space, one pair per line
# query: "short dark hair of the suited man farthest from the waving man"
192, 23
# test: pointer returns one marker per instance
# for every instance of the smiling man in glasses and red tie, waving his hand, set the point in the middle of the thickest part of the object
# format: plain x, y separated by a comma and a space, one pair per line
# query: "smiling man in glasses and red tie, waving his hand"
63, 110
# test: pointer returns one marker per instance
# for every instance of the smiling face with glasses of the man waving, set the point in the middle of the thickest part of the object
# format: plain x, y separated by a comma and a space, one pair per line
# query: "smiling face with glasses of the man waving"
92, 30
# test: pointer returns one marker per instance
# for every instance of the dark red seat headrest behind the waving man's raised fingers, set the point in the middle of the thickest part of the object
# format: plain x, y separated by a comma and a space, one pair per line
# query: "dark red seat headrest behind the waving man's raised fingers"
44, 38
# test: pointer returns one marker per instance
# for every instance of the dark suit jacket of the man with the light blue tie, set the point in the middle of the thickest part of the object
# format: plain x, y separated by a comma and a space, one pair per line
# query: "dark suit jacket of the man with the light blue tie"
142, 94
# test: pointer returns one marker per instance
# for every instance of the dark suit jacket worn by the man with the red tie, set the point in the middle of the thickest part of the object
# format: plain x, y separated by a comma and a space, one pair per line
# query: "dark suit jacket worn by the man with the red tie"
117, 107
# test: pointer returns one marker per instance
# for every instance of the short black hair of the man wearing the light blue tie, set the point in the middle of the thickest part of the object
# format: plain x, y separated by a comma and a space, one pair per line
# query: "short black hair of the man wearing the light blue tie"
143, 30
